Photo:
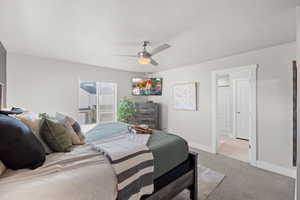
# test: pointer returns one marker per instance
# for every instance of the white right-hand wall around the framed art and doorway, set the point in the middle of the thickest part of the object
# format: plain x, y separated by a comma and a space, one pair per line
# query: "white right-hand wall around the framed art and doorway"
274, 101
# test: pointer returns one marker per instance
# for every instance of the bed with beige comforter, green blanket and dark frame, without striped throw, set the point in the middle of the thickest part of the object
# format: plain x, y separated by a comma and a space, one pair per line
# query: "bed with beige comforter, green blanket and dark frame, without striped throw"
86, 174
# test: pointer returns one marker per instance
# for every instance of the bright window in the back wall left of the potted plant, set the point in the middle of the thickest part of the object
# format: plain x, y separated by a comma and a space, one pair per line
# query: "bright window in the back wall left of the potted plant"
97, 102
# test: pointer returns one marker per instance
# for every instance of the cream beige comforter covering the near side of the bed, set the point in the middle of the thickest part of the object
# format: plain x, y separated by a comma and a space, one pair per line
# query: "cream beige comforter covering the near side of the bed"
82, 174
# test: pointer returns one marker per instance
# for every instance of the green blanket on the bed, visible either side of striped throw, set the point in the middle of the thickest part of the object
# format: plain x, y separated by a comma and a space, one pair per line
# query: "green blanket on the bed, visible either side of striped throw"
168, 150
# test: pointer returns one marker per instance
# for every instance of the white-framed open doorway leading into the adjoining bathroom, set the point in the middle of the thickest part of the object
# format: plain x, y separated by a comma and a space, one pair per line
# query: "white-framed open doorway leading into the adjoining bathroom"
234, 113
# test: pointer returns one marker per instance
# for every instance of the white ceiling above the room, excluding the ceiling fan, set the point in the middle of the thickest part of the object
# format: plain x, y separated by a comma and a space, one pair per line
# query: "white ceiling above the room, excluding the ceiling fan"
94, 32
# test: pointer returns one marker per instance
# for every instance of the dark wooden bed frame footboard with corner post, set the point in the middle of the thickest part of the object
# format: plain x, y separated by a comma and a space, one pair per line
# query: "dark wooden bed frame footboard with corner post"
186, 181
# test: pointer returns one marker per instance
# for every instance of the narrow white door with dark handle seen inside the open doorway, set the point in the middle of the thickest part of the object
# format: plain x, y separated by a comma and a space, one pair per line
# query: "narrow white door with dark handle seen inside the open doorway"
242, 109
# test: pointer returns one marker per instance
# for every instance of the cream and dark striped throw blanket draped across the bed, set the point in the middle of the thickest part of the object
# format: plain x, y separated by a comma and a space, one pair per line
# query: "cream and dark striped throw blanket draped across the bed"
133, 164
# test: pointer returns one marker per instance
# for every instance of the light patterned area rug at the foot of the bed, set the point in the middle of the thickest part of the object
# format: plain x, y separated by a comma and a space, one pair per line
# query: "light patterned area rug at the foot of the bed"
208, 180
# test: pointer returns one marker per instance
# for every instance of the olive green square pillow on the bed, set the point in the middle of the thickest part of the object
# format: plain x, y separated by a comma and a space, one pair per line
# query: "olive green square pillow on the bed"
55, 134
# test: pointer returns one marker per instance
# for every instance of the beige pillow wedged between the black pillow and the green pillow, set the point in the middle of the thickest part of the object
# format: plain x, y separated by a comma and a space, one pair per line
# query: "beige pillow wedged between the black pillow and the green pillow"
32, 120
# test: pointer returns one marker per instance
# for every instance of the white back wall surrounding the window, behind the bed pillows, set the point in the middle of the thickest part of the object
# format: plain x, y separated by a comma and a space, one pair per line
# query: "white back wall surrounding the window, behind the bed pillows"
47, 85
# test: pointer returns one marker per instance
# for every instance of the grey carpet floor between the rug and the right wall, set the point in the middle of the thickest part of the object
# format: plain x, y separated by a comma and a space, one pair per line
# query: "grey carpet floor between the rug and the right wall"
244, 182
